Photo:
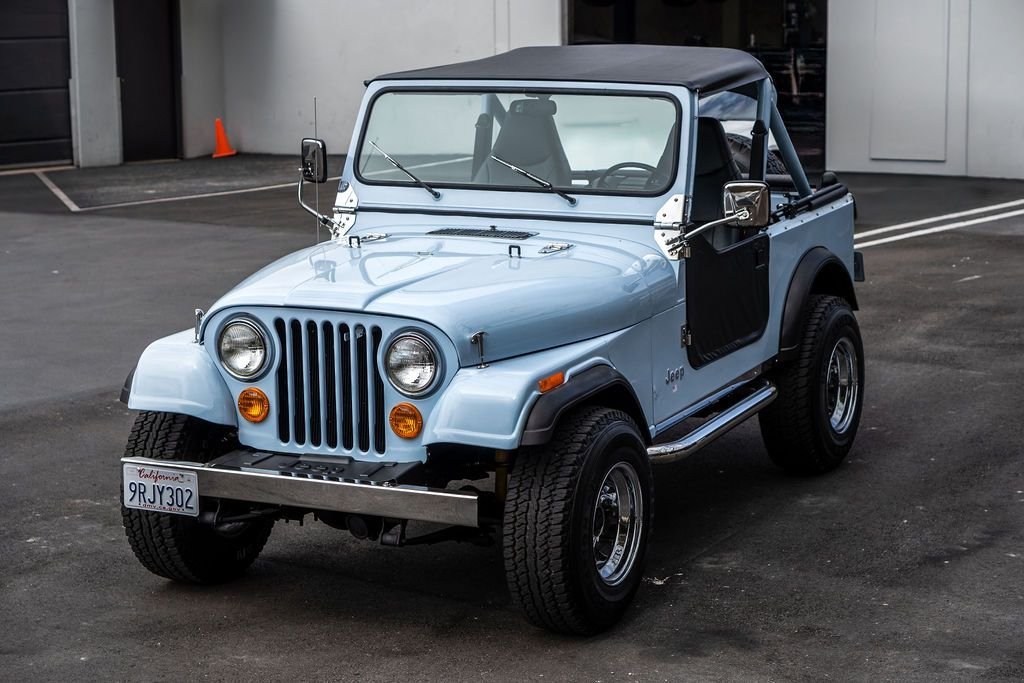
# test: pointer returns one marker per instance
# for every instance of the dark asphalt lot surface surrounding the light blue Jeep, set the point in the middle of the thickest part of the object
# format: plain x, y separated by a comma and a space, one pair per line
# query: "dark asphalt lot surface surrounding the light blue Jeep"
907, 564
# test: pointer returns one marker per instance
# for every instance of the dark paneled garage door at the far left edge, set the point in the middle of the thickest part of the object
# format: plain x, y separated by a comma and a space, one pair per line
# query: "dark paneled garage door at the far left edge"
35, 114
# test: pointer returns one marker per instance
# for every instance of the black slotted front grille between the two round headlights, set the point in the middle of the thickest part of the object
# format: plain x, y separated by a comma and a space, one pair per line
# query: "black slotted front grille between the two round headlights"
331, 394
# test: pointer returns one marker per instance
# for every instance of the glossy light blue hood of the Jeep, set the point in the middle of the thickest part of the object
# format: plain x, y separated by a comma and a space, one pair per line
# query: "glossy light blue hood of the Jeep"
526, 303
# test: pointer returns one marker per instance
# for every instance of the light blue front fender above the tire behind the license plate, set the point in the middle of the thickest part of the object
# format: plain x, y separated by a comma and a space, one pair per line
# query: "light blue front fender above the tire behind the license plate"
177, 375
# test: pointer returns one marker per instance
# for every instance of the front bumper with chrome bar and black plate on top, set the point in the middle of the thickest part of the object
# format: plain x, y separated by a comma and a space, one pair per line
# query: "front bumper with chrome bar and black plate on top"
338, 485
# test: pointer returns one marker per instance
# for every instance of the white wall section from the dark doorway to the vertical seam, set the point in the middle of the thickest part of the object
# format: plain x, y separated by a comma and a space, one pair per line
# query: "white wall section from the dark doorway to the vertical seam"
897, 100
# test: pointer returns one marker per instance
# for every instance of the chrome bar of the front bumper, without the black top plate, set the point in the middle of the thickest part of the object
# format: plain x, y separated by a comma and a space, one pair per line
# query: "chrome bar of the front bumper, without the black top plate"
271, 488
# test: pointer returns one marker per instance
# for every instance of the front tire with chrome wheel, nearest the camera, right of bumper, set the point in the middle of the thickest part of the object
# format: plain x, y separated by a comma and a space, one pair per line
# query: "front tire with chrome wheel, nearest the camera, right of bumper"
577, 523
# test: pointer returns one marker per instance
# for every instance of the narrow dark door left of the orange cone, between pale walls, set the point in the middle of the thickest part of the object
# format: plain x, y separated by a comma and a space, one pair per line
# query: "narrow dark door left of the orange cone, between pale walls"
148, 66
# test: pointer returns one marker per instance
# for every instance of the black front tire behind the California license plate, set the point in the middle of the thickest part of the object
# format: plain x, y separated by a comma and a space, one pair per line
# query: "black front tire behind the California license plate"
178, 547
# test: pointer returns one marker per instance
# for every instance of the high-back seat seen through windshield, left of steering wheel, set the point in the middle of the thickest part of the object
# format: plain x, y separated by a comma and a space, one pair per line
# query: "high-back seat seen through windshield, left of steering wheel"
530, 140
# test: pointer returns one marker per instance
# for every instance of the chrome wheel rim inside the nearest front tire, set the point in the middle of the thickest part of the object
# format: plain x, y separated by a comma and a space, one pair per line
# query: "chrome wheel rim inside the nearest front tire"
618, 524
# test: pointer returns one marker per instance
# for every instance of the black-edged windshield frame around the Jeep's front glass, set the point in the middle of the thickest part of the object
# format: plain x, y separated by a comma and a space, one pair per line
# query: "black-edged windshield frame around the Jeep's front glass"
574, 190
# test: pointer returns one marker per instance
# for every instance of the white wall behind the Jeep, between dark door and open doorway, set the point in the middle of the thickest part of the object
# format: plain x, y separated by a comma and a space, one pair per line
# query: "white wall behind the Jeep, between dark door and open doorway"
277, 56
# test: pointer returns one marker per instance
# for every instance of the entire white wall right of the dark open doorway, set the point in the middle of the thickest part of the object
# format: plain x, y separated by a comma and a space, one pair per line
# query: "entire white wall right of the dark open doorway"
926, 87
